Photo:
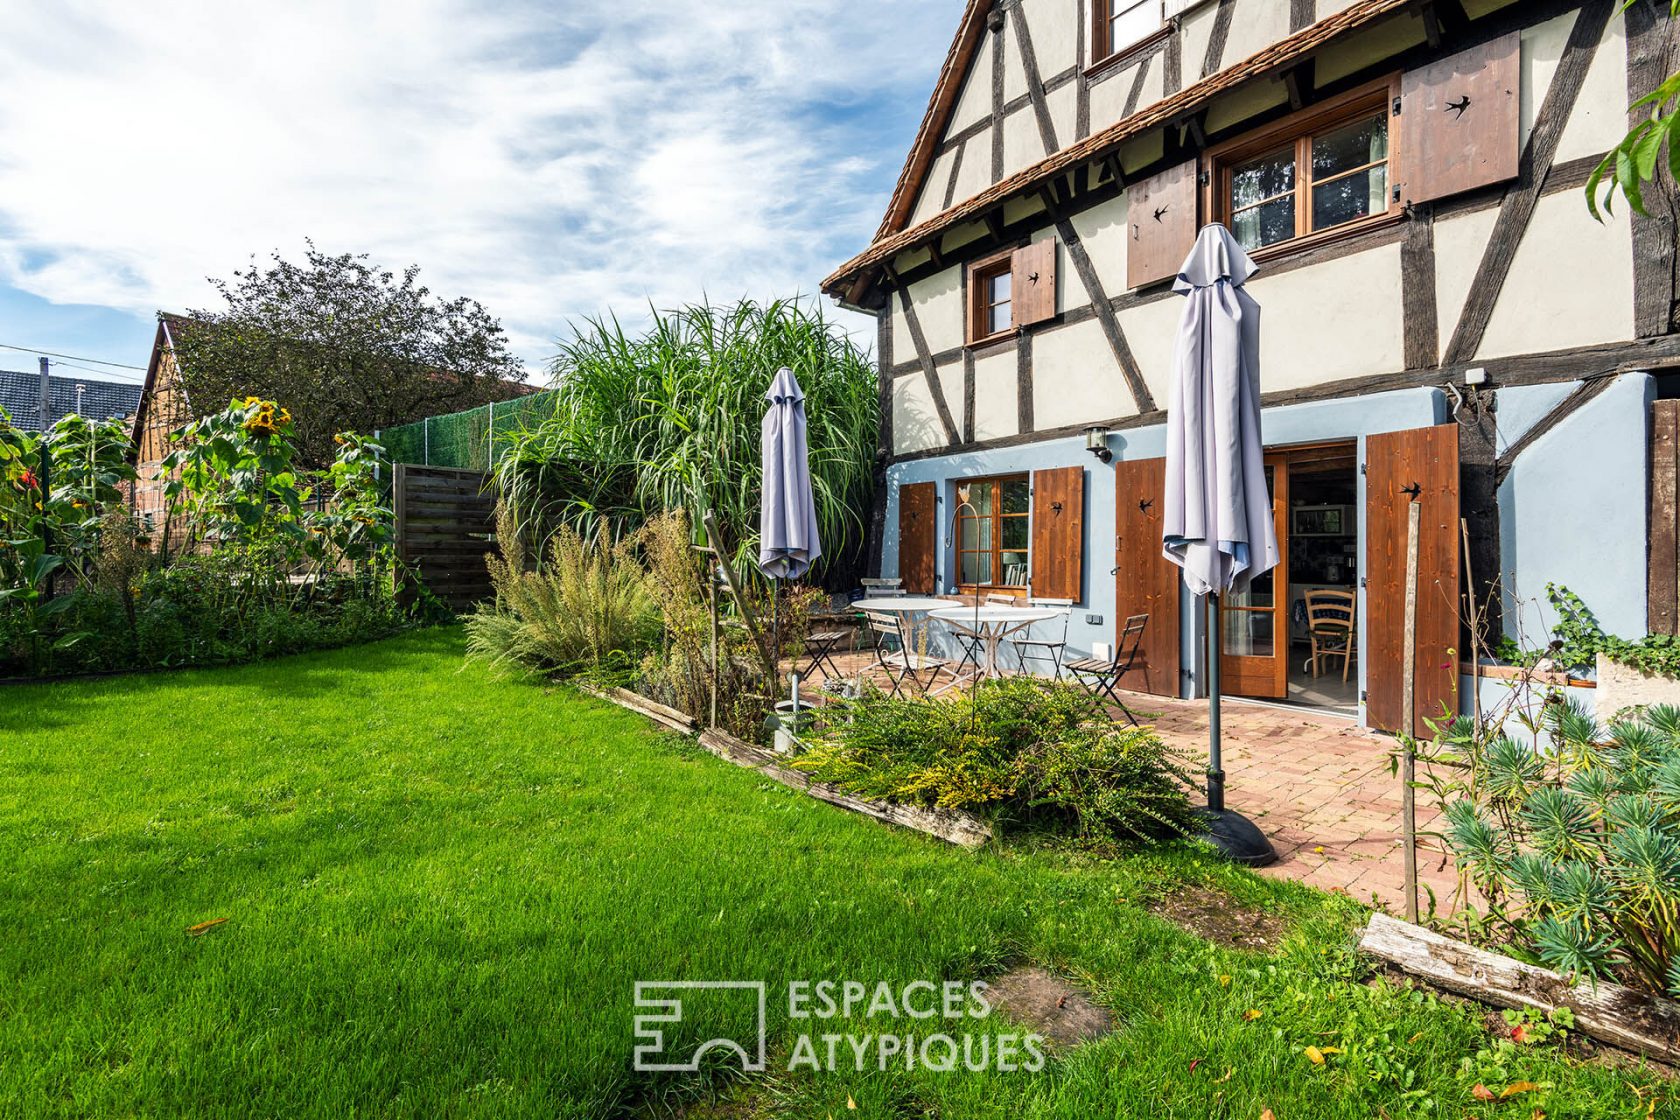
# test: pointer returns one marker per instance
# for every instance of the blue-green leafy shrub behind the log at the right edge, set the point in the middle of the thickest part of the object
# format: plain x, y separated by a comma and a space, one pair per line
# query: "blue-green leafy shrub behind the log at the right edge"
1578, 854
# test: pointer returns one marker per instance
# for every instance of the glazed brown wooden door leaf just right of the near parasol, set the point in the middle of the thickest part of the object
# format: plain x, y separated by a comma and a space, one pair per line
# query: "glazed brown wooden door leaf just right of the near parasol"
1254, 622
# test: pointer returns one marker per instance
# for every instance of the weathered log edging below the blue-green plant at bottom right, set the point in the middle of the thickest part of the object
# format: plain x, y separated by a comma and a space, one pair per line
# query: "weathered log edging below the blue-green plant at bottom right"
1647, 1025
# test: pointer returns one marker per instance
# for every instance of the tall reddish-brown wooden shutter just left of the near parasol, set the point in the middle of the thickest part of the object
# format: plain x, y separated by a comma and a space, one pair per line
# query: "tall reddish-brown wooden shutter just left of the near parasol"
1145, 580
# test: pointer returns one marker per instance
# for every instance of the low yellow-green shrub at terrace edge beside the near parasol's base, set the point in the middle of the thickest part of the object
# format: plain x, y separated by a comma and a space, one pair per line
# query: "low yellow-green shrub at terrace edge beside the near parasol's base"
1014, 748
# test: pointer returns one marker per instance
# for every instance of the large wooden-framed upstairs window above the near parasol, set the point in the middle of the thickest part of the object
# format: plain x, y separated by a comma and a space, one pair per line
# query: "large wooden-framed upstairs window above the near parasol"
1320, 174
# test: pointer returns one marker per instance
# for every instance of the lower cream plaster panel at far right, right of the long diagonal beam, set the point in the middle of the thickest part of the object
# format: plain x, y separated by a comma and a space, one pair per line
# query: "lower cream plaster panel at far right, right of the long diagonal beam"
1572, 283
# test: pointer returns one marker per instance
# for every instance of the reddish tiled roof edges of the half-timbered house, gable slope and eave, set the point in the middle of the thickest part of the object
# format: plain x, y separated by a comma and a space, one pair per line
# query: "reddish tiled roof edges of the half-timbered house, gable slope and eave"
893, 239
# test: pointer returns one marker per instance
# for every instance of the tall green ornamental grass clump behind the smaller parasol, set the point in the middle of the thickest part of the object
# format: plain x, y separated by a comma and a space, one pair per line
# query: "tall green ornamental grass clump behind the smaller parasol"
669, 421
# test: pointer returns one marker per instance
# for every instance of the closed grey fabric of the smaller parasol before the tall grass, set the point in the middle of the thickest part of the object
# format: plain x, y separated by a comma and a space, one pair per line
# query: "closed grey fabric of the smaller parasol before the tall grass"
787, 516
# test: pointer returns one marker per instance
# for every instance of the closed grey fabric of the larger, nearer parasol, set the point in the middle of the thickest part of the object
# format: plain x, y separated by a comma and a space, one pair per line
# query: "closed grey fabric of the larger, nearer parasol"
1217, 510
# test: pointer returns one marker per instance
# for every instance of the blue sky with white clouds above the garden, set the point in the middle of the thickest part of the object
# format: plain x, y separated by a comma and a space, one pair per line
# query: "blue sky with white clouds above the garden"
554, 160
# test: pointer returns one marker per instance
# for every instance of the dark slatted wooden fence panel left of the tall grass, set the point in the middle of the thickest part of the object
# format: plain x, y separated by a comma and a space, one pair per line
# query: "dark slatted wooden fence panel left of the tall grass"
446, 520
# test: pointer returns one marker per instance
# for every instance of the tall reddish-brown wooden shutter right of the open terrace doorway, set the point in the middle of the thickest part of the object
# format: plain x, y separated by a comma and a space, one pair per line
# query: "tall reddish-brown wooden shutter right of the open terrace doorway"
1402, 468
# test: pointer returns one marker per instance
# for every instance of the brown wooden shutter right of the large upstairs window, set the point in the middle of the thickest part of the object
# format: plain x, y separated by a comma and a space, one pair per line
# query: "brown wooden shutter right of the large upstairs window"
1451, 145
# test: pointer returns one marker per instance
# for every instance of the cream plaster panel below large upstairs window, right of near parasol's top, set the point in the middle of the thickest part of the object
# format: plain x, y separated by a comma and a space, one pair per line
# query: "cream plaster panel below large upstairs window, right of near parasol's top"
1331, 322
